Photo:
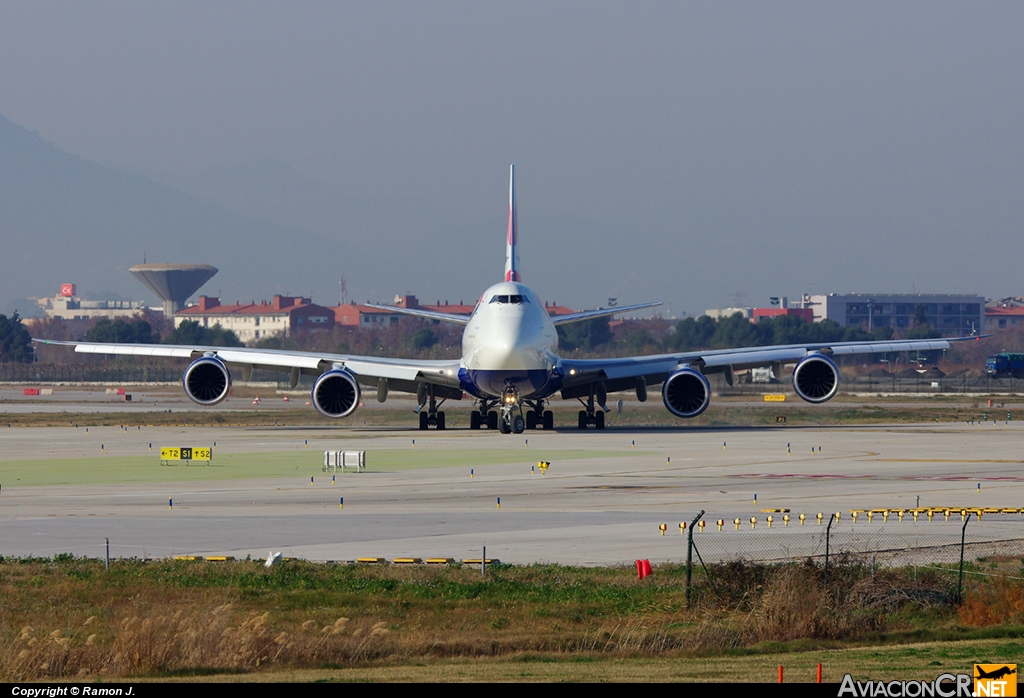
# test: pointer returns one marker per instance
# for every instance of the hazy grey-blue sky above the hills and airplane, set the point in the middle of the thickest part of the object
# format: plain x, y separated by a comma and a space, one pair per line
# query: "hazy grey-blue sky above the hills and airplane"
677, 152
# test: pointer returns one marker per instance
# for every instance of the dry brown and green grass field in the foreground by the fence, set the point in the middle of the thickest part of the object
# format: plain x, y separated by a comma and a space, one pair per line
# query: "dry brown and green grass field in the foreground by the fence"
301, 622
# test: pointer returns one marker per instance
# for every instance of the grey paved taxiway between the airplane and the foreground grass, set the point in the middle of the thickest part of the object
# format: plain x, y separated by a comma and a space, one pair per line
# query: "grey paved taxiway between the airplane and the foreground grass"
601, 510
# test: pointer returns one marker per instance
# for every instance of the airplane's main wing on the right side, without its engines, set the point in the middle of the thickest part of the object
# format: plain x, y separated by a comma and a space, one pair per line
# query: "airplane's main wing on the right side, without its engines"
622, 374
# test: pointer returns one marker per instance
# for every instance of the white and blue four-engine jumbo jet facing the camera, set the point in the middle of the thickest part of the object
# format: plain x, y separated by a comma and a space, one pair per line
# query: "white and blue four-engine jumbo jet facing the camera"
510, 366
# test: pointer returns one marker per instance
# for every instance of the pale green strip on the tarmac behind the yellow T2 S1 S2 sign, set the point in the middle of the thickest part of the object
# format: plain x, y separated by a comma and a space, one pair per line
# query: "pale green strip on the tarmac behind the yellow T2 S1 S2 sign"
142, 469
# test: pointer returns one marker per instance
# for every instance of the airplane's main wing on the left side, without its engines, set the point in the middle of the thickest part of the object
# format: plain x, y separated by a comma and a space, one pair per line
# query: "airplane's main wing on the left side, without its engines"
403, 375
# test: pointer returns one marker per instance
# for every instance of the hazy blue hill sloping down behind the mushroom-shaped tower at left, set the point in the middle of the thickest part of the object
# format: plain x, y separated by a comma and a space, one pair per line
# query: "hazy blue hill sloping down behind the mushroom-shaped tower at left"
66, 220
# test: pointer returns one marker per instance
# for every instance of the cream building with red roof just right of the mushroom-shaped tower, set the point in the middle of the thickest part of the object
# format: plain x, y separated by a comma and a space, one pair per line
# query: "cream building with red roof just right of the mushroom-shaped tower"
284, 316
